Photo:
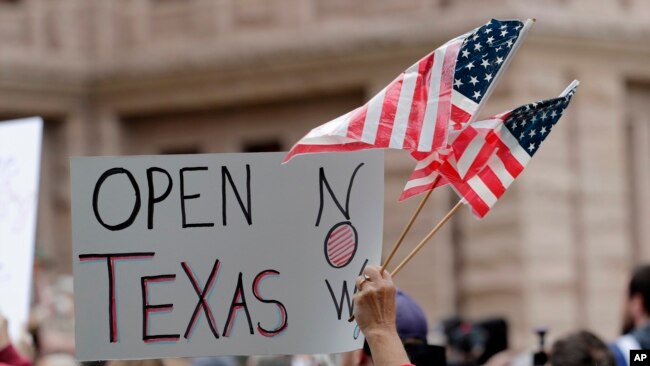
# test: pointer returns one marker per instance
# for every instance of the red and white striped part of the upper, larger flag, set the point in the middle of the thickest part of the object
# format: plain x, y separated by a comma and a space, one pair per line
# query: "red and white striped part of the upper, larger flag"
411, 113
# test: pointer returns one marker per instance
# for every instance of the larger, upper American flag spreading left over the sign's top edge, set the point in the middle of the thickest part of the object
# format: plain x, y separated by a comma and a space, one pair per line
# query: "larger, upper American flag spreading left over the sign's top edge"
414, 112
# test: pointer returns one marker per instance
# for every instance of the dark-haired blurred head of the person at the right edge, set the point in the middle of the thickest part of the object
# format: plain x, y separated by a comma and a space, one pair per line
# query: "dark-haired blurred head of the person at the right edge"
637, 304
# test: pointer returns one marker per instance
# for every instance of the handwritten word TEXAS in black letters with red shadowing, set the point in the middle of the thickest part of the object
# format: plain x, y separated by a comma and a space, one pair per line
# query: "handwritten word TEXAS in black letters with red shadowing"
238, 301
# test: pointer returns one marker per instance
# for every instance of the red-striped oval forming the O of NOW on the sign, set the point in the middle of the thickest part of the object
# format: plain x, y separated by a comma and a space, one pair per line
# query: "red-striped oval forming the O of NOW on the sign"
341, 244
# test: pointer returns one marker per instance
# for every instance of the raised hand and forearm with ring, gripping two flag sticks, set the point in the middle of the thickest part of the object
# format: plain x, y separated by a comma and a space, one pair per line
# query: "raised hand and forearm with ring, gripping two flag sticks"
375, 312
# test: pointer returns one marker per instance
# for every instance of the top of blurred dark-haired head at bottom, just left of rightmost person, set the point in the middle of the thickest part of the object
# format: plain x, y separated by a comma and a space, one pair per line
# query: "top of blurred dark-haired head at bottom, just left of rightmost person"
581, 349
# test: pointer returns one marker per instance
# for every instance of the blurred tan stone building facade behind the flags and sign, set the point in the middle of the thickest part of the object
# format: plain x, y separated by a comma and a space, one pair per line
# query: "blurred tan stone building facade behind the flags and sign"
116, 77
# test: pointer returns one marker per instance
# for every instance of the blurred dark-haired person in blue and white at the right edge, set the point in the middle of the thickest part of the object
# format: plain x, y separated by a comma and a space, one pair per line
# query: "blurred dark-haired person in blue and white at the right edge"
636, 322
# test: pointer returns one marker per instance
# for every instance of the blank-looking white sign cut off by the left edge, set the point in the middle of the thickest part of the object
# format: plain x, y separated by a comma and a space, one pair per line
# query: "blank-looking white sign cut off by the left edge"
20, 156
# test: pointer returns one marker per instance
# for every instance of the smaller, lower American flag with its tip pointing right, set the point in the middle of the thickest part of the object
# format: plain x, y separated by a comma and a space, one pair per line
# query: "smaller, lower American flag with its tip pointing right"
496, 151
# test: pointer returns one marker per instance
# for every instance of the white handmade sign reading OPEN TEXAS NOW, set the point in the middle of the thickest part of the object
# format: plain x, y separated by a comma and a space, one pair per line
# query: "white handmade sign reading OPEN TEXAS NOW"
221, 254
